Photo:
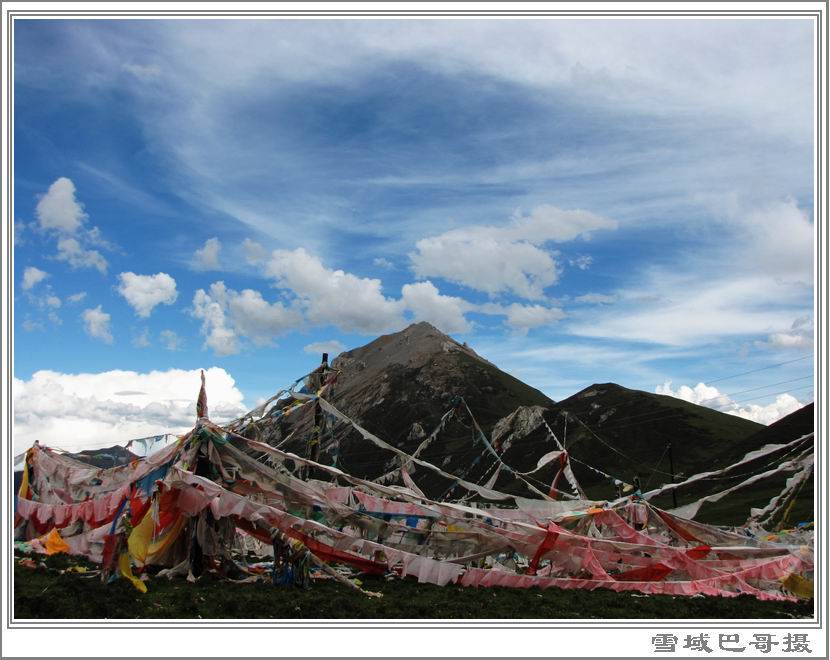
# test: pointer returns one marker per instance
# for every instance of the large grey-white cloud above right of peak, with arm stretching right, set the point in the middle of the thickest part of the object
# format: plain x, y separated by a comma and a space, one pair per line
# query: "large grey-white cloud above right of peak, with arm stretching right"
509, 258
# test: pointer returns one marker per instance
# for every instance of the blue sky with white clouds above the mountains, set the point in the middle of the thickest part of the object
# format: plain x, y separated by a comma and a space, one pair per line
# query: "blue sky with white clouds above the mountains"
581, 201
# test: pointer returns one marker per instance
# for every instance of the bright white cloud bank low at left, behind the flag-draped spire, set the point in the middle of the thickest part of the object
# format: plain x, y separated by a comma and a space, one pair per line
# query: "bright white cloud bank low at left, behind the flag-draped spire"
86, 410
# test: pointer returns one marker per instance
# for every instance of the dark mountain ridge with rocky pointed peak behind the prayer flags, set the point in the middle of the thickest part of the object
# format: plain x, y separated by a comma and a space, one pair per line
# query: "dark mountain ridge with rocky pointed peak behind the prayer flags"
399, 386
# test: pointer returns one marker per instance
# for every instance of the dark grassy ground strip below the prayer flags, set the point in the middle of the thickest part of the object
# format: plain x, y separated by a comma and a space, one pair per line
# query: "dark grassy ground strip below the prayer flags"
48, 593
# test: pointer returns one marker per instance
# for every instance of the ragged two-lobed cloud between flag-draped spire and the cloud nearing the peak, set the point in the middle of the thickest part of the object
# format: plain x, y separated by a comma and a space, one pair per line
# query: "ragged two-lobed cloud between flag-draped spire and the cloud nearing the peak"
228, 315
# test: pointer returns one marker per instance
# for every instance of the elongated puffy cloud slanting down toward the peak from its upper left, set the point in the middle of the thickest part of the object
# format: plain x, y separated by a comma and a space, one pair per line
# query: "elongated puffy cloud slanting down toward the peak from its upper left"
333, 296
